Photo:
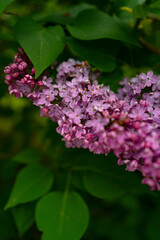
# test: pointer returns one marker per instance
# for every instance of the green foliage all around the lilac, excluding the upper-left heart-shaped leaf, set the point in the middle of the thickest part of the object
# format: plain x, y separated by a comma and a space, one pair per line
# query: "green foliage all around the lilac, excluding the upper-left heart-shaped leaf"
34, 160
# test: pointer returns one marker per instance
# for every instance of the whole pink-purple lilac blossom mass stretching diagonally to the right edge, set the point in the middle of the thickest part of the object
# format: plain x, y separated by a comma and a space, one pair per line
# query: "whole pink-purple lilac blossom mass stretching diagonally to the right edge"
91, 116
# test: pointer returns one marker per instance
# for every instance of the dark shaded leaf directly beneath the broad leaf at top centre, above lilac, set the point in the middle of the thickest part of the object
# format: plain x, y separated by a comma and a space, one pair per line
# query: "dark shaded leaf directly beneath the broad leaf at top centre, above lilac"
96, 52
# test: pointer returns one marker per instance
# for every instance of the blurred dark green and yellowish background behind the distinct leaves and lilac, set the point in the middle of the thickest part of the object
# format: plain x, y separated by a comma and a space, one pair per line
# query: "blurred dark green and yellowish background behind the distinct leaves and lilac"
23, 133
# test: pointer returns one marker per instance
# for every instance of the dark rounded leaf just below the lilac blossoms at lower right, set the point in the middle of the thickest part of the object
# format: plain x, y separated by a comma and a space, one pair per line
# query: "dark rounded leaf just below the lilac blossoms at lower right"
105, 179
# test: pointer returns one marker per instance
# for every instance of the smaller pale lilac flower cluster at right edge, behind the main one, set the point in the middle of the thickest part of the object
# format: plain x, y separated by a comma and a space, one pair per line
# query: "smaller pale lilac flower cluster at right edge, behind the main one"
142, 97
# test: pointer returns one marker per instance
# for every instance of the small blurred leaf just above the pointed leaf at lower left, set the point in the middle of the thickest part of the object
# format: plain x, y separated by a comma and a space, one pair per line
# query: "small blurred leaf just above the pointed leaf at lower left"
28, 156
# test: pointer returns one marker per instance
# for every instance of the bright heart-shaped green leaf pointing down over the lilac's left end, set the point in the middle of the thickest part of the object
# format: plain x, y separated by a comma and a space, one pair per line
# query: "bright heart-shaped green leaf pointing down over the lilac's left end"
42, 45
